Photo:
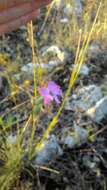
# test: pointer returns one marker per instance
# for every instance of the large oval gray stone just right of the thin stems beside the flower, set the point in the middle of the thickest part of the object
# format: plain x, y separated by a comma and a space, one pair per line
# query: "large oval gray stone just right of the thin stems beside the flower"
85, 98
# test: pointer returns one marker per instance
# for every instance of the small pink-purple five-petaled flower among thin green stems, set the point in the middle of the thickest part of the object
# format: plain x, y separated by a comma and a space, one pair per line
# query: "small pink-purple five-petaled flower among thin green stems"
50, 93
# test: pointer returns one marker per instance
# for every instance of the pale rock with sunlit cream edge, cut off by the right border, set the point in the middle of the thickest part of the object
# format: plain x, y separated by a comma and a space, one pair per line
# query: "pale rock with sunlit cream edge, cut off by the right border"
99, 111
